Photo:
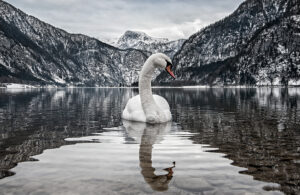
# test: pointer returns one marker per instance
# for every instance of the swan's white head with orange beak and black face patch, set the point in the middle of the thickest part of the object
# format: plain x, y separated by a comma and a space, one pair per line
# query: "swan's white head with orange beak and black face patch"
162, 61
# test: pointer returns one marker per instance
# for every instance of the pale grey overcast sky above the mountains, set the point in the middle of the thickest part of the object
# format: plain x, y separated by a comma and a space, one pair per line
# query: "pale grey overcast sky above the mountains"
109, 19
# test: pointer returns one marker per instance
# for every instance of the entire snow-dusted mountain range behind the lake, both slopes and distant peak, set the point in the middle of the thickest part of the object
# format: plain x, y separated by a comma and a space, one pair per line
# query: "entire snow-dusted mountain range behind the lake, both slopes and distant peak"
257, 44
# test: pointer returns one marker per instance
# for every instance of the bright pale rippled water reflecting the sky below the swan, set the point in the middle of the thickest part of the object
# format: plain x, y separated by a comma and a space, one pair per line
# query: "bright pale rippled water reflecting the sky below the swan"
110, 165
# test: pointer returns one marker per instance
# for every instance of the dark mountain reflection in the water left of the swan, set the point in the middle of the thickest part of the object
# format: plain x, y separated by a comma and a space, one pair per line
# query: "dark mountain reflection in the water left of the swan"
32, 121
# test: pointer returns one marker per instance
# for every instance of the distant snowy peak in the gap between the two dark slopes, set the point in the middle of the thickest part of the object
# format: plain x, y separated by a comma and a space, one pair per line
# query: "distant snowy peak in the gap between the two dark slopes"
144, 42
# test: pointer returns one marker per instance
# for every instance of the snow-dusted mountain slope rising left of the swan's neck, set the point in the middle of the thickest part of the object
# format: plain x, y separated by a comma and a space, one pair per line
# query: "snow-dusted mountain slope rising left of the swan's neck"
34, 52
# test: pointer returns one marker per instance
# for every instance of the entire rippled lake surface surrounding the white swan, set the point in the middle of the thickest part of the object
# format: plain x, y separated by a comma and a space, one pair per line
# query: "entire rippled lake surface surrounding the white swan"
221, 141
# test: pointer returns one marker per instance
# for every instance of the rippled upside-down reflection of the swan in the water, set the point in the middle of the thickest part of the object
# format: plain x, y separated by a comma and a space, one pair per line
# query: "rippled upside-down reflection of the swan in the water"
148, 135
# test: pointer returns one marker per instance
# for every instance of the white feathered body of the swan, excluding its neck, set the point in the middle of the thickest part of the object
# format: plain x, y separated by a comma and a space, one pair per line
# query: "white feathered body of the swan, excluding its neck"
134, 110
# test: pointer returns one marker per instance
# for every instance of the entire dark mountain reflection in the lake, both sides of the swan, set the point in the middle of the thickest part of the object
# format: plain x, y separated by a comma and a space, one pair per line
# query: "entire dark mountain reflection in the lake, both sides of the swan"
256, 128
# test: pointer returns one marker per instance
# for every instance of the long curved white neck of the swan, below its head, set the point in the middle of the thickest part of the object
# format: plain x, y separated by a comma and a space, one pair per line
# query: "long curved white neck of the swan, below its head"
145, 90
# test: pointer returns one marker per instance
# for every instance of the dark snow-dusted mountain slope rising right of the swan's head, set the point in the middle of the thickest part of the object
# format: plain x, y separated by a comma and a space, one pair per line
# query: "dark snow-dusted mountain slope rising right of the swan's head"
258, 44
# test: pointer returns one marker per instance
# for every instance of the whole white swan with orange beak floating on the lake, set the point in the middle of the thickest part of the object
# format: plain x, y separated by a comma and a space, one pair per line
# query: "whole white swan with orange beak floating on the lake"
147, 107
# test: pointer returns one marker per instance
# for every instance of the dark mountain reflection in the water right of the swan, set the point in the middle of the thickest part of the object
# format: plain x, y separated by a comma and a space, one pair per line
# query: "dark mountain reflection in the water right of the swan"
256, 128
